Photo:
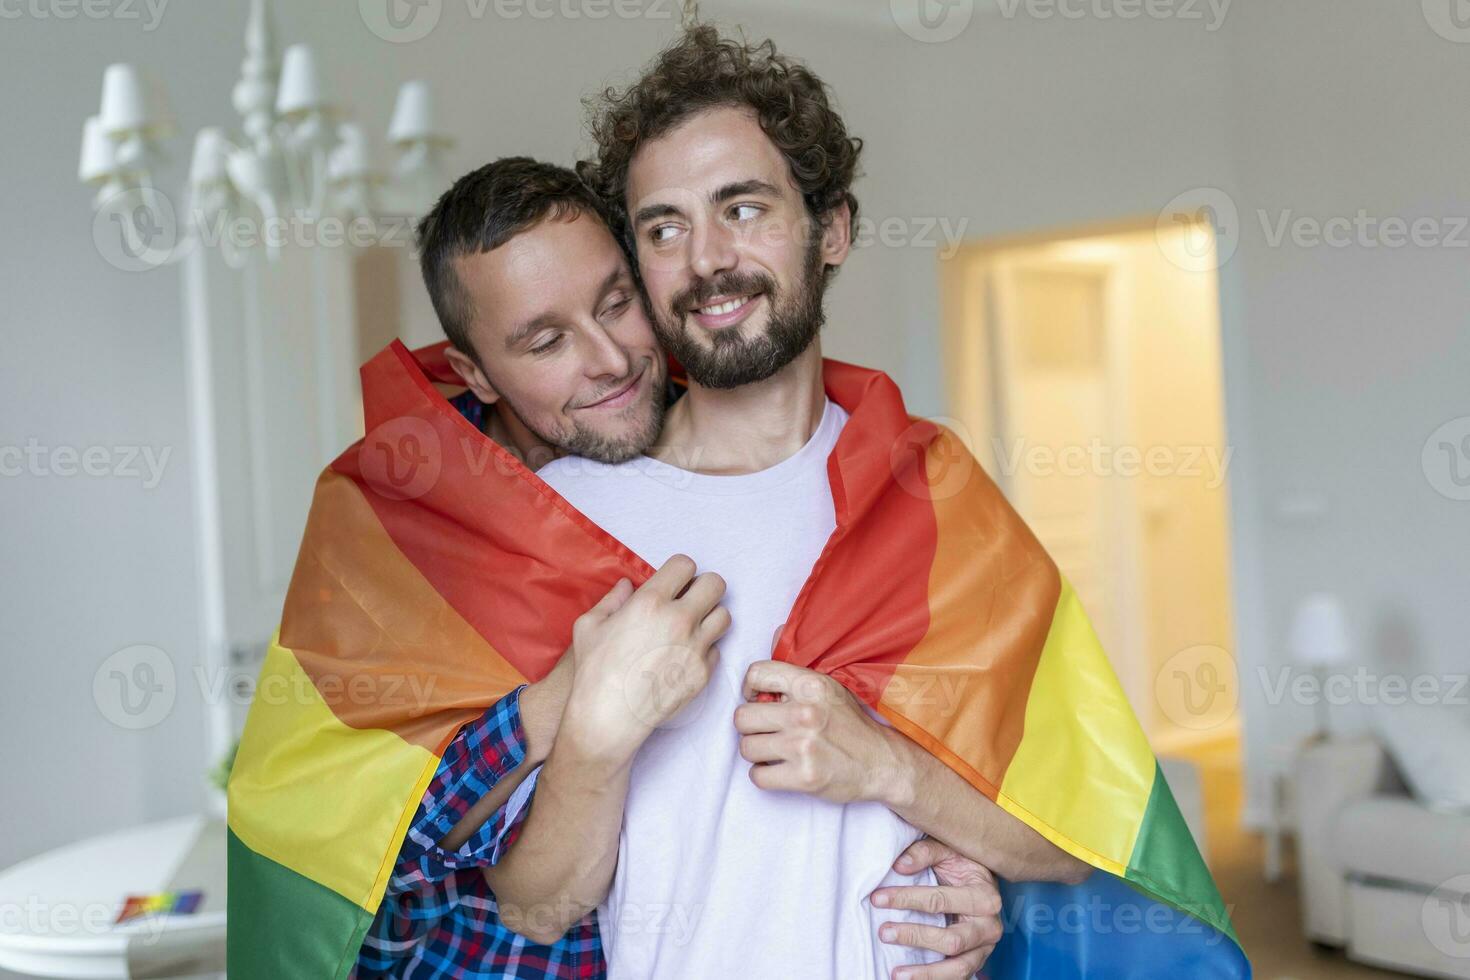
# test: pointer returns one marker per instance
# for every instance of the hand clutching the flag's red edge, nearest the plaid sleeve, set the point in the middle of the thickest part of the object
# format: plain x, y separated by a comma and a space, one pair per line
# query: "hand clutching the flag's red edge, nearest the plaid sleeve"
642, 656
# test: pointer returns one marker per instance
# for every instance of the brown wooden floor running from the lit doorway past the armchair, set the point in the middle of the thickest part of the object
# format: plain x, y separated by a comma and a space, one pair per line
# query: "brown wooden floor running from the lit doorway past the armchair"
1268, 918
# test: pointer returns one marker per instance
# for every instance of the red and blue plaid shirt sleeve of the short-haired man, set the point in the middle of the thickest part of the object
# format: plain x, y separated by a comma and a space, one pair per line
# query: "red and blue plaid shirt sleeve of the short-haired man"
427, 881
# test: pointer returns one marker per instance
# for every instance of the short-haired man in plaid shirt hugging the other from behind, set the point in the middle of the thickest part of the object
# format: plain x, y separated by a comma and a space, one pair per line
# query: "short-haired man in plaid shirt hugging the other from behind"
548, 333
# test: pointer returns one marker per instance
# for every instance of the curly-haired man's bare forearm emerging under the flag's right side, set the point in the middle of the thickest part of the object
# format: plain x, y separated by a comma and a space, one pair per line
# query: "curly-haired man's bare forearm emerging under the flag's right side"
939, 801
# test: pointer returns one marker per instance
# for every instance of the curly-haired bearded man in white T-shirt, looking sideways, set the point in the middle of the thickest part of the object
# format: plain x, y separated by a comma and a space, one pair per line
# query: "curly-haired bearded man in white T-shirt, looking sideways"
739, 840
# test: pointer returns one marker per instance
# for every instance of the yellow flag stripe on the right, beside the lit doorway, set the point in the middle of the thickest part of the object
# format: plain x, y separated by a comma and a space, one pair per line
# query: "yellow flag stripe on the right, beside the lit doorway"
1084, 765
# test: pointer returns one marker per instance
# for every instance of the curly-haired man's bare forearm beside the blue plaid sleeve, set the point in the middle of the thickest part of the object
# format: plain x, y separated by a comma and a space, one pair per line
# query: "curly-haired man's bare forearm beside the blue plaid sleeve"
562, 865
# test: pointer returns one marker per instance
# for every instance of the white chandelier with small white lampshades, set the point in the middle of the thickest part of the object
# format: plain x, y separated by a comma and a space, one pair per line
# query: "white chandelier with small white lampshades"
298, 164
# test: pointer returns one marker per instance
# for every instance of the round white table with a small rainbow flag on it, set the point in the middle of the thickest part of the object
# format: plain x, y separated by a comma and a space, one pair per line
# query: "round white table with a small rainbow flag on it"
58, 910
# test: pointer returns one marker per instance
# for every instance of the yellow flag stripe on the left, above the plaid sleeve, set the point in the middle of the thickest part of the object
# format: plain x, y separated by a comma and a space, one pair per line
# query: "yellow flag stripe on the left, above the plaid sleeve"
320, 797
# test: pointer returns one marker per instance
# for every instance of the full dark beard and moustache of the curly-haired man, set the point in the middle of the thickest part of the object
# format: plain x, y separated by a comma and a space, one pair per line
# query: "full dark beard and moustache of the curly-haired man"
727, 359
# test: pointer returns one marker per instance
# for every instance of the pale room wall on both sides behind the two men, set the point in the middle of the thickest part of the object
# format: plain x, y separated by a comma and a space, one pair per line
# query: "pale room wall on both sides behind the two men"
1340, 362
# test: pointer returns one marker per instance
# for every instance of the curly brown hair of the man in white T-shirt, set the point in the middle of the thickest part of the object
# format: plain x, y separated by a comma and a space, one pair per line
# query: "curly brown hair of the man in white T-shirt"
703, 71
